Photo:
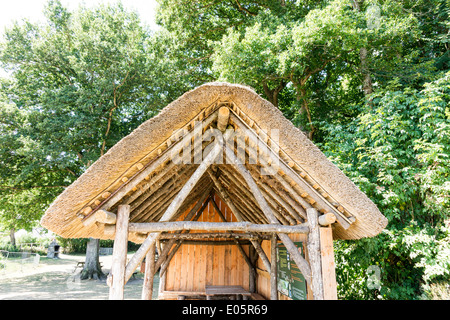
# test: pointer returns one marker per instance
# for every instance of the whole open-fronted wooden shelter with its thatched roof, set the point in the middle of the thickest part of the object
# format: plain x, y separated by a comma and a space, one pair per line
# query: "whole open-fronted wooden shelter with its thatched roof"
226, 189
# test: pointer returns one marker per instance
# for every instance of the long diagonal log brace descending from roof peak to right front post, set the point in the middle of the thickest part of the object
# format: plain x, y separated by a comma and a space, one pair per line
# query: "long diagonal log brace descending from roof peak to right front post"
289, 244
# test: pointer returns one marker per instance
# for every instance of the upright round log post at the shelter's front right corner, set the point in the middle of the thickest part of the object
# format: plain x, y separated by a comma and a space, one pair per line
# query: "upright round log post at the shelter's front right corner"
313, 245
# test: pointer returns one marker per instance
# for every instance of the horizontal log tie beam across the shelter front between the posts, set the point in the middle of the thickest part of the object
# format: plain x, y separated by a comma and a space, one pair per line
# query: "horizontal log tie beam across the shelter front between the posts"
217, 226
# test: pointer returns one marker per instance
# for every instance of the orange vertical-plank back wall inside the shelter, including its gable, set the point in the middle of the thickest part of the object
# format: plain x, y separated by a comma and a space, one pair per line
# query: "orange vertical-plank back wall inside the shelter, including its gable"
195, 266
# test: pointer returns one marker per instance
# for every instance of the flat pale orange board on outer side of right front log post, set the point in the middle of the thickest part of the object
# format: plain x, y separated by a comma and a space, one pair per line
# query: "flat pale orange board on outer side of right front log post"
328, 264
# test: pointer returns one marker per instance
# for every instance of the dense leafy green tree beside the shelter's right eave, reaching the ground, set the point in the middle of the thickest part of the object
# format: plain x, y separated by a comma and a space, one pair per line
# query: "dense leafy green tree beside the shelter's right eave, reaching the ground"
398, 153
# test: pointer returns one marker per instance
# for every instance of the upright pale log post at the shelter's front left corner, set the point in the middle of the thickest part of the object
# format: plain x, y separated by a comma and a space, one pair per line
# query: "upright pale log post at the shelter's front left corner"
116, 279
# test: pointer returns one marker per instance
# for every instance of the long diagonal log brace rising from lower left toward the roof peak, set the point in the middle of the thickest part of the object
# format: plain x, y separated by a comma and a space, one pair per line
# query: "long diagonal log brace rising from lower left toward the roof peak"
174, 206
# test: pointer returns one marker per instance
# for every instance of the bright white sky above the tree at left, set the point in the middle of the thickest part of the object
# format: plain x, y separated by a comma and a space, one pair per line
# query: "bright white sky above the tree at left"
11, 10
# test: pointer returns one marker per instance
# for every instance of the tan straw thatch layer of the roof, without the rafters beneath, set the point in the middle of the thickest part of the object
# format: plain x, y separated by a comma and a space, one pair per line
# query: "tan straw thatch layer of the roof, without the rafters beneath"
61, 217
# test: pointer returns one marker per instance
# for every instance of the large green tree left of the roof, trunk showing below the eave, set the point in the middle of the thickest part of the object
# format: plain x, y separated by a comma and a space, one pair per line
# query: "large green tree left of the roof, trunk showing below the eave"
80, 84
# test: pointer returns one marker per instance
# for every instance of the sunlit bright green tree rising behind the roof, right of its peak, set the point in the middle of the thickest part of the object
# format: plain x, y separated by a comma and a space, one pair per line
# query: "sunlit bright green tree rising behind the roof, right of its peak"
310, 54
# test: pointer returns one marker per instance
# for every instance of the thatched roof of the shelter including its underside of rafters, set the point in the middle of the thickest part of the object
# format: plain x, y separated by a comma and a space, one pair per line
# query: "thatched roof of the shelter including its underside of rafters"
140, 162
